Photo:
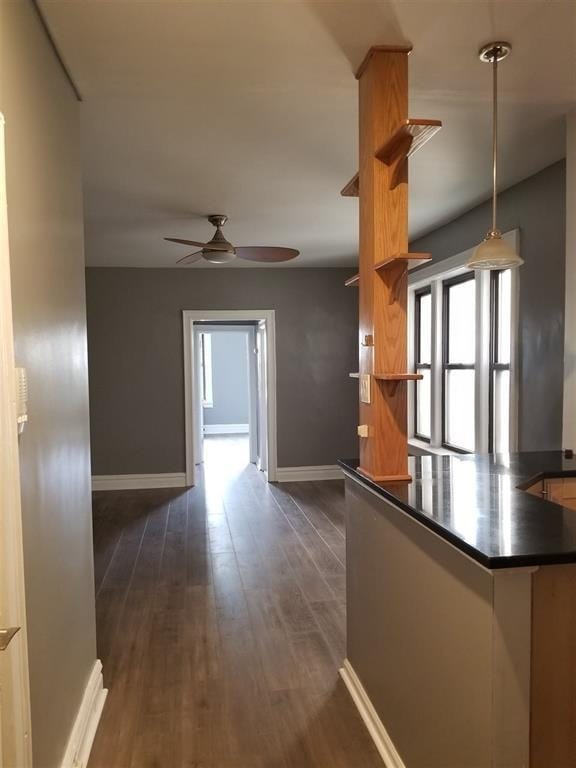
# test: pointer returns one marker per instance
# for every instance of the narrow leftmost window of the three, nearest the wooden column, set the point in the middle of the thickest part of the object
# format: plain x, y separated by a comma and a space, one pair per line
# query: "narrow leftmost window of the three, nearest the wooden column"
423, 361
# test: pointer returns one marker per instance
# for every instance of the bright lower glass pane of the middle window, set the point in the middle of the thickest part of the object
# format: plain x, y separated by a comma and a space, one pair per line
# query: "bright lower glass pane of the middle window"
459, 421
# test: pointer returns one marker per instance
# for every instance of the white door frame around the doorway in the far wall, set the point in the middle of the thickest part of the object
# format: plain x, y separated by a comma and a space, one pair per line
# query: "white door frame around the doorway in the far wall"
189, 317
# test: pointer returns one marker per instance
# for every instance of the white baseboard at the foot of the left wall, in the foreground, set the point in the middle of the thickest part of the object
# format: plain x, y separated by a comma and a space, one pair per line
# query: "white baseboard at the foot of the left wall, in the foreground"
87, 719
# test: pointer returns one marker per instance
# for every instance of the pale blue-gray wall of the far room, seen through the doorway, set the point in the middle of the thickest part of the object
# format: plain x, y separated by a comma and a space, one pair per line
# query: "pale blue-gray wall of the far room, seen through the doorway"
229, 379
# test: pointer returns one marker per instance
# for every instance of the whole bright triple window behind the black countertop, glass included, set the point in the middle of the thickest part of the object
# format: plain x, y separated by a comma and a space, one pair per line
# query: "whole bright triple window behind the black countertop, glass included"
463, 344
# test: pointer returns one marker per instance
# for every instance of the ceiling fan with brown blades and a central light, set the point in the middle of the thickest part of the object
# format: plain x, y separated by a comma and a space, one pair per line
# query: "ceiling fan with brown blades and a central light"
220, 251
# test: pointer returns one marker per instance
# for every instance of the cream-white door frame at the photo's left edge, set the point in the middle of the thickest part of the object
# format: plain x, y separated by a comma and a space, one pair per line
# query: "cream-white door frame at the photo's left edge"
15, 741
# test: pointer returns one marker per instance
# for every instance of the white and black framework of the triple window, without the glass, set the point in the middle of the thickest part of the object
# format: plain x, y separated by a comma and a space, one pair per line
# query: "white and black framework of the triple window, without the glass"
433, 277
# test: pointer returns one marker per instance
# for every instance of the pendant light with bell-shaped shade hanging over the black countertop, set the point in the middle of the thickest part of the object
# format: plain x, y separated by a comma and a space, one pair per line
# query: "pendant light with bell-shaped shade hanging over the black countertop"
494, 252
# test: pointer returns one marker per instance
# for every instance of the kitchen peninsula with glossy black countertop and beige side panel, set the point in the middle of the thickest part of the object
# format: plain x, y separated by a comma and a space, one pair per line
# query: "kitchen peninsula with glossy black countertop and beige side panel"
461, 601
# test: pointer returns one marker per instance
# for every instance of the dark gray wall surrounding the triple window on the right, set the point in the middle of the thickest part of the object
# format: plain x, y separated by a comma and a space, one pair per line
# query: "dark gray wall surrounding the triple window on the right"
536, 206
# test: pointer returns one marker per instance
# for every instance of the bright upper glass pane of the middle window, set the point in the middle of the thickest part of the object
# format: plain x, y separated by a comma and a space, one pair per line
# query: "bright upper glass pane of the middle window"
462, 322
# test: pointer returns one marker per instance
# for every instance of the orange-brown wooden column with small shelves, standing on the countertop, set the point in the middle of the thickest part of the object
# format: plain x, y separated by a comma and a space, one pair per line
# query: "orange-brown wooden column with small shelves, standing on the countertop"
387, 138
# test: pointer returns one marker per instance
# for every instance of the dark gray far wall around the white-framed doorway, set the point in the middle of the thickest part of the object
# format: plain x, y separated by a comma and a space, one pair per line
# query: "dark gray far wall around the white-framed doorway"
136, 365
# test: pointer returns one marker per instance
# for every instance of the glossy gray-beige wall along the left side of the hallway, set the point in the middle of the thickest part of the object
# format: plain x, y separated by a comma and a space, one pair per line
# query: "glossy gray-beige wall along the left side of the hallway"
47, 270
